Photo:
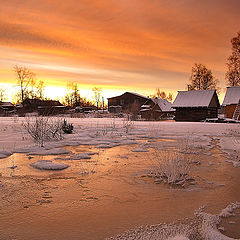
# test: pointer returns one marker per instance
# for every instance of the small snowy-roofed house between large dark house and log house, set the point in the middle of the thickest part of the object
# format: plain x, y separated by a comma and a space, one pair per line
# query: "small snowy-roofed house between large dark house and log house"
156, 109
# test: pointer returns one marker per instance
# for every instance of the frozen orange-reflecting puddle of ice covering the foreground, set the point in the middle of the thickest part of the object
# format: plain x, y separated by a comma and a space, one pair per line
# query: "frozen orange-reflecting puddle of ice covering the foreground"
108, 194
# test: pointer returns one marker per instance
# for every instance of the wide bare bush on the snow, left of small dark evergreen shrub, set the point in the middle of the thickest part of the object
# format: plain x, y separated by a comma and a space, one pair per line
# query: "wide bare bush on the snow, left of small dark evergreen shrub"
43, 129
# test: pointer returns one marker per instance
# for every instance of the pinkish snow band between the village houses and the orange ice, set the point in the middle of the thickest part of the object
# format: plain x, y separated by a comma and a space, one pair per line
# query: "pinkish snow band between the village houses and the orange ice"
108, 132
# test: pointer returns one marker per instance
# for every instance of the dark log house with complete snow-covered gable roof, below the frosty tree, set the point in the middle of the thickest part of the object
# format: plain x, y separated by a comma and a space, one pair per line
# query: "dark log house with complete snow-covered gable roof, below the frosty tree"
196, 106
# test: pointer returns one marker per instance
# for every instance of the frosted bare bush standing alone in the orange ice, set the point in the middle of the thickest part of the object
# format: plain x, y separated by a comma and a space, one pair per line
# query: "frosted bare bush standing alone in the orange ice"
171, 167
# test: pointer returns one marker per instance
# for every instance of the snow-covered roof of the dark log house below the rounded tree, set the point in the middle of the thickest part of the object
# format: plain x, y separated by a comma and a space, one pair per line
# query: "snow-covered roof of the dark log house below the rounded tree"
199, 98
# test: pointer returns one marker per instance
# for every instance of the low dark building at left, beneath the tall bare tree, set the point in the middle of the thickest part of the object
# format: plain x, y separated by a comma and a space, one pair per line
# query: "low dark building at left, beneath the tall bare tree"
43, 107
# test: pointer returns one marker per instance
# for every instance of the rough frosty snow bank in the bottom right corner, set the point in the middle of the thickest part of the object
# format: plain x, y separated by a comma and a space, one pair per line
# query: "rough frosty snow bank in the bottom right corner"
203, 226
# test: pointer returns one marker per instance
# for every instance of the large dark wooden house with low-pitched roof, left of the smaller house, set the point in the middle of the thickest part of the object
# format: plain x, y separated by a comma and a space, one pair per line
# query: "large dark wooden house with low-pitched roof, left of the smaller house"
127, 102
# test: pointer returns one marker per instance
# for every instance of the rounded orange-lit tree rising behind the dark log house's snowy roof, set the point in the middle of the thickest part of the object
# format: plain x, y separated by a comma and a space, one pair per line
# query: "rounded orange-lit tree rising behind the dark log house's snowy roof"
202, 78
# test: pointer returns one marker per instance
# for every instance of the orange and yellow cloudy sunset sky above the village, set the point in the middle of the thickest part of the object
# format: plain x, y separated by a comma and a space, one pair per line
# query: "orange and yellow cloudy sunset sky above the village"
118, 45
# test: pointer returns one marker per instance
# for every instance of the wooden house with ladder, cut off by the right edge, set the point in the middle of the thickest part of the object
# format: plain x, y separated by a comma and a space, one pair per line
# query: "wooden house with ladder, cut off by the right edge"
231, 103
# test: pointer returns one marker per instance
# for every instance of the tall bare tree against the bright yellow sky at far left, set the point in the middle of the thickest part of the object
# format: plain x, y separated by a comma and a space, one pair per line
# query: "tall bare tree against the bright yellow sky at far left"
25, 78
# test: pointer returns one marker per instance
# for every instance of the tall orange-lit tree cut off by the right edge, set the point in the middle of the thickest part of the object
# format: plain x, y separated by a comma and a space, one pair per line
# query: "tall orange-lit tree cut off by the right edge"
233, 63
